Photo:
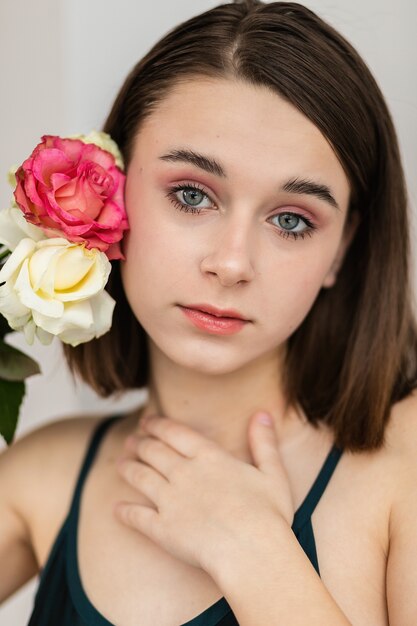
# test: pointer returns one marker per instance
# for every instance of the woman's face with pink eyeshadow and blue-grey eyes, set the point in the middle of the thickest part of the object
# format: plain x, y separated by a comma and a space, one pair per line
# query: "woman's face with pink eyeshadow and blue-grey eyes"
268, 233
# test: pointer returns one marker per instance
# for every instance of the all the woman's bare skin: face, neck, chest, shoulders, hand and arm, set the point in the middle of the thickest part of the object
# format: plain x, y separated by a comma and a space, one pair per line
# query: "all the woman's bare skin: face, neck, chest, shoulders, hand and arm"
213, 490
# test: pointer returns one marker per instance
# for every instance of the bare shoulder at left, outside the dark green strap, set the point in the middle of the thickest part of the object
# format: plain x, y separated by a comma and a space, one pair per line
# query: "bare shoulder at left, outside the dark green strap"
38, 474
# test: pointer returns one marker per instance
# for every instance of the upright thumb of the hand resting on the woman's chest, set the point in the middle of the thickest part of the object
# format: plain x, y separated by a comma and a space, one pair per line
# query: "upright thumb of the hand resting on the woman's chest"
263, 443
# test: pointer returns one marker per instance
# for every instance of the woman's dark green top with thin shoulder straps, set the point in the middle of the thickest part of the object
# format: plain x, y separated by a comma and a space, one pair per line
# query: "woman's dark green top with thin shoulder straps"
61, 600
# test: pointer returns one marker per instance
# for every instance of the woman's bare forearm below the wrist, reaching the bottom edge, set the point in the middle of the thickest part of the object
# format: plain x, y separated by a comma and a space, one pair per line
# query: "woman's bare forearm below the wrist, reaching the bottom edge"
269, 580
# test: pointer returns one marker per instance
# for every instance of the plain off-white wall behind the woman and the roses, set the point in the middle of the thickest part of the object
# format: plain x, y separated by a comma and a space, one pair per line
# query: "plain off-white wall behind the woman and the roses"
61, 64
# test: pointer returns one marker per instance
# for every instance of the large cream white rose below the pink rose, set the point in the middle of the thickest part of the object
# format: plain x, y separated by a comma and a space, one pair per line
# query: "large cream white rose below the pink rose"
53, 288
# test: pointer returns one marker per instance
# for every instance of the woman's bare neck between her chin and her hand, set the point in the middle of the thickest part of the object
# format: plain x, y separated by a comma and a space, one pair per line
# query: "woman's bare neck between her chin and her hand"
219, 406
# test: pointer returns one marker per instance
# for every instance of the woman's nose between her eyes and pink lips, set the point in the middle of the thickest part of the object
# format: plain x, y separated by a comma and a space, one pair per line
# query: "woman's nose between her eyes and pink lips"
230, 257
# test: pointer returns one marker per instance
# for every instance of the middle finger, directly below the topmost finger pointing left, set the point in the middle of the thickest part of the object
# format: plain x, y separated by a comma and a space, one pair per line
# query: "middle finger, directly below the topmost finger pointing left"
155, 453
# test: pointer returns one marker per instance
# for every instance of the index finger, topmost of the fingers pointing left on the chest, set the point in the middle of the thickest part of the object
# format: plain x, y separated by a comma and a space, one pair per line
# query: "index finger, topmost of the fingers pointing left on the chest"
180, 437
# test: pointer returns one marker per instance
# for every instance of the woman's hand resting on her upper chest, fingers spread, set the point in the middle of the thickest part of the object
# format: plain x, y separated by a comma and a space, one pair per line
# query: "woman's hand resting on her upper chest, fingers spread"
203, 496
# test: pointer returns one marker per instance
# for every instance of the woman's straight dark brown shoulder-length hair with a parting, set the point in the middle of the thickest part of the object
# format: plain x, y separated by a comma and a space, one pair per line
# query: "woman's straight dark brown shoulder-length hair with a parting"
354, 354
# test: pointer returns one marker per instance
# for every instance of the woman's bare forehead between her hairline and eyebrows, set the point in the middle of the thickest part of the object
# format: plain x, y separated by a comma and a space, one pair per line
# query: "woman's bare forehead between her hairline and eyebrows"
249, 128
